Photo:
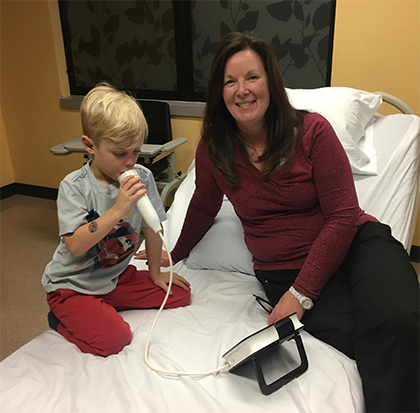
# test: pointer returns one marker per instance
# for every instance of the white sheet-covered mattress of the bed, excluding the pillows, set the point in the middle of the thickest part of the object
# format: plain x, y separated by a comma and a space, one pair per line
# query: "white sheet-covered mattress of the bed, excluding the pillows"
51, 375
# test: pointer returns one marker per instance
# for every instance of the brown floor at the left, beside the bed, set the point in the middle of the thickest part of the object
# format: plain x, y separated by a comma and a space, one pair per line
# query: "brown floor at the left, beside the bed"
30, 236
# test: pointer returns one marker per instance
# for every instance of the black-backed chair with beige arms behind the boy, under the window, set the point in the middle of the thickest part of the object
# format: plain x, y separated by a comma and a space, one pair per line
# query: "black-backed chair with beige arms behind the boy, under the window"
156, 154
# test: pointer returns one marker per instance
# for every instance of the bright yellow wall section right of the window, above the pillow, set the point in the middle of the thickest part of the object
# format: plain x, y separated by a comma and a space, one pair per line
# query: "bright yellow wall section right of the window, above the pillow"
376, 47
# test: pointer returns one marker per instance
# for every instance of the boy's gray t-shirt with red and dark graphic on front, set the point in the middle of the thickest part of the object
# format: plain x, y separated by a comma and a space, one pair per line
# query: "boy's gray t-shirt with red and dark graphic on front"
81, 199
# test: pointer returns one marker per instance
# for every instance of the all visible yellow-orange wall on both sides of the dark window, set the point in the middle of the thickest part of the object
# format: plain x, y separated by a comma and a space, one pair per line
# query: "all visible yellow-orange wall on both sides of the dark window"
375, 48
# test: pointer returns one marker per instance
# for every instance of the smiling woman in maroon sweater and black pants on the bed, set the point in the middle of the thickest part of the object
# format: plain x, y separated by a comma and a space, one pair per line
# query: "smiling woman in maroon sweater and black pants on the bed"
314, 250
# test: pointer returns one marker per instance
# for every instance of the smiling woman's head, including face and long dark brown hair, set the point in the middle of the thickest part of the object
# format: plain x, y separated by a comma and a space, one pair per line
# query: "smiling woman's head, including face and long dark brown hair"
245, 70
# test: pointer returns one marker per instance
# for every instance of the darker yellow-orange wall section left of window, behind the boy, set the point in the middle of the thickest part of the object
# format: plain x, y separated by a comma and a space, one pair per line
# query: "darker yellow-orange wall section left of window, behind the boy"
30, 92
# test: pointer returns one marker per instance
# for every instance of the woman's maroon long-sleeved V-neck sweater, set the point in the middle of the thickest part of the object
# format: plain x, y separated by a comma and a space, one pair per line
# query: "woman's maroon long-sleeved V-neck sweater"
303, 219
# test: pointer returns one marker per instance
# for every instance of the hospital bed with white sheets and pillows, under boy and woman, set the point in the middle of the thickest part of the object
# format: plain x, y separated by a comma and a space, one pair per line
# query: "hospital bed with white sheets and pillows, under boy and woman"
50, 374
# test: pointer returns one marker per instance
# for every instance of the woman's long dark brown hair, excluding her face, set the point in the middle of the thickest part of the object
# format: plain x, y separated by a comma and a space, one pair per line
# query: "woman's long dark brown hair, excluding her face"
219, 131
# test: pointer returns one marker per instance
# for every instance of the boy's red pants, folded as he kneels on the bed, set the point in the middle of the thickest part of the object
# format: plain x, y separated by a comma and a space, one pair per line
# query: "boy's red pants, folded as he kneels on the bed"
92, 323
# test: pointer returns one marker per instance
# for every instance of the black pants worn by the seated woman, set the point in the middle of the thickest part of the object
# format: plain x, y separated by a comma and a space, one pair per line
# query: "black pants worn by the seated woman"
369, 310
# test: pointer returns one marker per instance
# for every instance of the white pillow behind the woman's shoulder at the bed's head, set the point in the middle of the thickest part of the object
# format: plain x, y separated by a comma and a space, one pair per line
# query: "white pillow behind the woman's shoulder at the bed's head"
349, 111
